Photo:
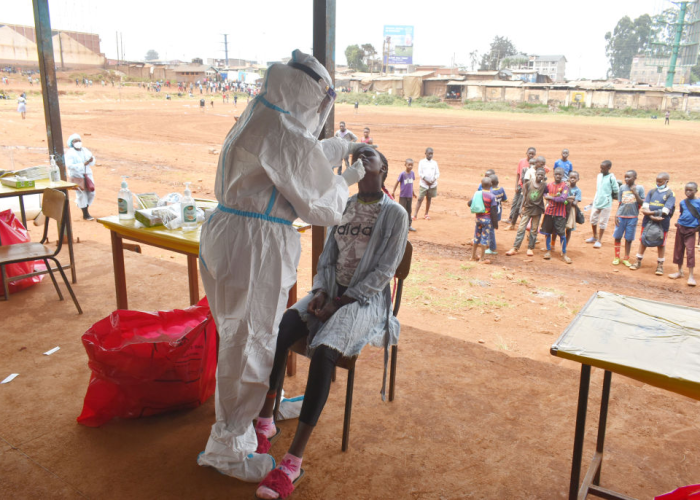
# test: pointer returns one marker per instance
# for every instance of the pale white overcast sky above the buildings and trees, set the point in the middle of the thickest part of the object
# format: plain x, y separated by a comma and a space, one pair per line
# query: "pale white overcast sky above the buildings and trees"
444, 30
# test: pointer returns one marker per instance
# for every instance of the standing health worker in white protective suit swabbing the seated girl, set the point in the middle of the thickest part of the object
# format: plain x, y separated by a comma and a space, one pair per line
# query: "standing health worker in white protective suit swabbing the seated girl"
272, 169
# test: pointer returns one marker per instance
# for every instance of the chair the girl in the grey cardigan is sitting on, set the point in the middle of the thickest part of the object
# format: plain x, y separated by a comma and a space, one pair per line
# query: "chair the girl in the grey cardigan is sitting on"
348, 363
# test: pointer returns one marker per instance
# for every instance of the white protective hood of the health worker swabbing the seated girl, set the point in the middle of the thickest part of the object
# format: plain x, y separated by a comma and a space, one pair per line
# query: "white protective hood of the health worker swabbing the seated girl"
294, 91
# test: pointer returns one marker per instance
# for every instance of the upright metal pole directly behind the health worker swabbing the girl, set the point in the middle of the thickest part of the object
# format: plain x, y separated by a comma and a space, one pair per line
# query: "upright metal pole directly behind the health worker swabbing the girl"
324, 51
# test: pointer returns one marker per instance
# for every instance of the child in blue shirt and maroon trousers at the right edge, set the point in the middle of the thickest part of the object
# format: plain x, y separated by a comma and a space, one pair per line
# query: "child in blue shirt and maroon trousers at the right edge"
688, 224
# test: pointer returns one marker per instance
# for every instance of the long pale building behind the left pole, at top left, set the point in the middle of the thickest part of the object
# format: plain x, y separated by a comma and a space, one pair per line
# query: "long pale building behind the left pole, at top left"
72, 49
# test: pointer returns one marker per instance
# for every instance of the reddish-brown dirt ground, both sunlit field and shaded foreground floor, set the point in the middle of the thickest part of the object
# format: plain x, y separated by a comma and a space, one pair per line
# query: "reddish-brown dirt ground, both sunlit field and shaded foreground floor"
482, 410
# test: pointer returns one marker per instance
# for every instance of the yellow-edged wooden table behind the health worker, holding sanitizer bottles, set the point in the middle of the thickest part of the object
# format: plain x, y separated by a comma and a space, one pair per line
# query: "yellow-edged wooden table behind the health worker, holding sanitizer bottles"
176, 241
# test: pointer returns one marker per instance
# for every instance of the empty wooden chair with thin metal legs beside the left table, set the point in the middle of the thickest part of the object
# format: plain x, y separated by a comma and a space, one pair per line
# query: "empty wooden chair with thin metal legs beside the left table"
53, 207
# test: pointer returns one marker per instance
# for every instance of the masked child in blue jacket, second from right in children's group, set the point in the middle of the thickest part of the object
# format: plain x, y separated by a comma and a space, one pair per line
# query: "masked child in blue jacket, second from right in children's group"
658, 208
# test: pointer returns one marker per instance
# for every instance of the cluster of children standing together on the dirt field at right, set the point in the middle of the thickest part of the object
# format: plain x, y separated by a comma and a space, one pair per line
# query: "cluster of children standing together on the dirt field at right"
552, 209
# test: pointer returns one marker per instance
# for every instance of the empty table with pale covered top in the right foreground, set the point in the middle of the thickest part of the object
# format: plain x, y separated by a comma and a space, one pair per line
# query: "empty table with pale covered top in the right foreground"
653, 342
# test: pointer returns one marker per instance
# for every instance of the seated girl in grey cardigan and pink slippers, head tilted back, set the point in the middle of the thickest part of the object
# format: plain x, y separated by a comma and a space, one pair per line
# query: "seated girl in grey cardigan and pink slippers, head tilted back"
348, 308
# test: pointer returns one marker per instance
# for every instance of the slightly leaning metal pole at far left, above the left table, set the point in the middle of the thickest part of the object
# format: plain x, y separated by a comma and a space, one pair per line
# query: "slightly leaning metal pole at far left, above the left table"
49, 87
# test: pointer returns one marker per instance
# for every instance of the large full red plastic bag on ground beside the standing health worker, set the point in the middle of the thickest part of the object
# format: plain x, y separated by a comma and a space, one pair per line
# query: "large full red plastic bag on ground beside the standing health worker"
149, 363
